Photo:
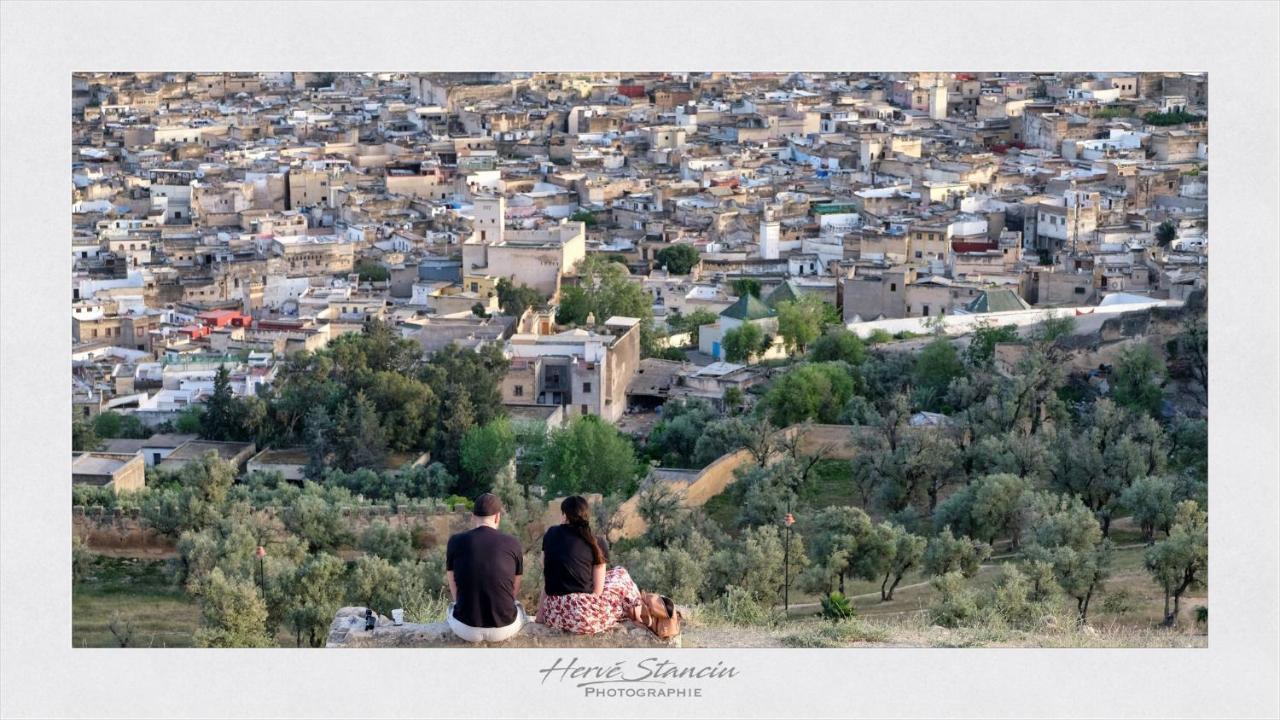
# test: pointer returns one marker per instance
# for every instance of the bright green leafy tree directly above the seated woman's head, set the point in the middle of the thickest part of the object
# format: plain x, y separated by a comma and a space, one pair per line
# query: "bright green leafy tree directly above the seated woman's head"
588, 455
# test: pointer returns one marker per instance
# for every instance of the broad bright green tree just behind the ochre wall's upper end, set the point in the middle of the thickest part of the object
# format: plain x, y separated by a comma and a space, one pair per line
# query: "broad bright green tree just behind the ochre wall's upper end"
811, 391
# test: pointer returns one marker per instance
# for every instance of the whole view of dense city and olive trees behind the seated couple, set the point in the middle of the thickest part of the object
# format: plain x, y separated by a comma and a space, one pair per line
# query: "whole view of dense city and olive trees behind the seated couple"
842, 359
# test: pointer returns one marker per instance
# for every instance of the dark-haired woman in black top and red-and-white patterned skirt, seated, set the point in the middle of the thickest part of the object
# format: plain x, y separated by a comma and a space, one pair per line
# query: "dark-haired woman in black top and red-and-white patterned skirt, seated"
579, 594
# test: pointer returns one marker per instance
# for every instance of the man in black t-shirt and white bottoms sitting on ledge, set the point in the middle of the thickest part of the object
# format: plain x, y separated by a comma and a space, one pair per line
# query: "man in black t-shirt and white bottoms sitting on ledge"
483, 569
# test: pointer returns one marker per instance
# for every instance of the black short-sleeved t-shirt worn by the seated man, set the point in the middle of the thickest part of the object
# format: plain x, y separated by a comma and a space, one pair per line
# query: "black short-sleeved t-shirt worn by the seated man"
486, 564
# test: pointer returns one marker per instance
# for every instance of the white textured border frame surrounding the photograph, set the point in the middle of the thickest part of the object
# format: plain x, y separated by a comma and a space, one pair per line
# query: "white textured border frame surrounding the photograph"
43, 44
